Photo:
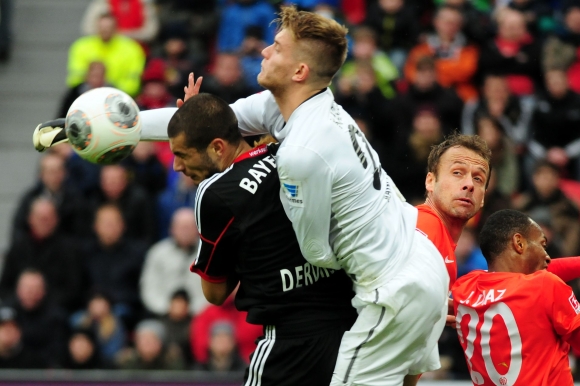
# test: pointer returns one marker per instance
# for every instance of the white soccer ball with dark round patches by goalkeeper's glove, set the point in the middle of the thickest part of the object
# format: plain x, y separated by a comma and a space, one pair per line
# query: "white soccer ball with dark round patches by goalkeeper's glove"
103, 125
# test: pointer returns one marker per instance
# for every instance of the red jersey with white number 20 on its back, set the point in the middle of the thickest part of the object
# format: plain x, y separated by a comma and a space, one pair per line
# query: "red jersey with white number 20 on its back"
516, 329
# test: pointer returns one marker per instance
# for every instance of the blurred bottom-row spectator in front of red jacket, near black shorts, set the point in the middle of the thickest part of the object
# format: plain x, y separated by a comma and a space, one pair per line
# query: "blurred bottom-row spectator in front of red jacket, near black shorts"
222, 353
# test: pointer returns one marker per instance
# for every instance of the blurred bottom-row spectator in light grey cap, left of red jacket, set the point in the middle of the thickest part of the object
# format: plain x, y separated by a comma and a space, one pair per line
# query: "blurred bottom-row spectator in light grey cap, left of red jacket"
151, 350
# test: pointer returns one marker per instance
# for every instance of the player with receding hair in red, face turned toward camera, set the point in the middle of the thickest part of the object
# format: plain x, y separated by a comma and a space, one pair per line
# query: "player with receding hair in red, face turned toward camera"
458, 174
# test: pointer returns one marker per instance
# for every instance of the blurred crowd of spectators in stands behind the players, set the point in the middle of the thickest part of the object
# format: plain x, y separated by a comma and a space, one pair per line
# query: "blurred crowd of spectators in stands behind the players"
392, 85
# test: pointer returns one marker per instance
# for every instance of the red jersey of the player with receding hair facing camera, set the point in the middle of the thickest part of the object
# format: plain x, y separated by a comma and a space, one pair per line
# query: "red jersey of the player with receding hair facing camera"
429, 223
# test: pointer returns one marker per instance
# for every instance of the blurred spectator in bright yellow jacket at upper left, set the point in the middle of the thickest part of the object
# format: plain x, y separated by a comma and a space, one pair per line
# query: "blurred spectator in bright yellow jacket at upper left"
123, 57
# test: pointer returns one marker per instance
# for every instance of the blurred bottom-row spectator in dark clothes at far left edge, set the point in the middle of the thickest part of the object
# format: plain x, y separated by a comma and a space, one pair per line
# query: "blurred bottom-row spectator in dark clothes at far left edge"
13, 354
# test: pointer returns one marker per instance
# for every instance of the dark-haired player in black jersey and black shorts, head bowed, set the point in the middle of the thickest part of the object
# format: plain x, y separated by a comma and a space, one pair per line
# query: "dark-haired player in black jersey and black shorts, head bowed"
246, 238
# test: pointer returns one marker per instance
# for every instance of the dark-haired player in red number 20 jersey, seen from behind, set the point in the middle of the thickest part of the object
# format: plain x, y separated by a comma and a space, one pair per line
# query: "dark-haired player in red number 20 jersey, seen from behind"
516, 322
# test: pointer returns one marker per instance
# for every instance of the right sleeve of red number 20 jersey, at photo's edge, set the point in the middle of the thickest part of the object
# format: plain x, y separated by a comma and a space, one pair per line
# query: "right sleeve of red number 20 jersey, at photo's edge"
564, 310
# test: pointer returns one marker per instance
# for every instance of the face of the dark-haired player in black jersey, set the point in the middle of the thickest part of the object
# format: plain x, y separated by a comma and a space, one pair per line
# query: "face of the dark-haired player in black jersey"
197, 165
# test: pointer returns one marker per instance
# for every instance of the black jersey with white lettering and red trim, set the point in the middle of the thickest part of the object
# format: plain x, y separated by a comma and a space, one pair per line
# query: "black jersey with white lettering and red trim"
244, 231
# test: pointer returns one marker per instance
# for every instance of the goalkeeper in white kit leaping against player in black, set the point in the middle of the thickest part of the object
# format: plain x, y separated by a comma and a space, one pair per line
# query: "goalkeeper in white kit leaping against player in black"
345, 210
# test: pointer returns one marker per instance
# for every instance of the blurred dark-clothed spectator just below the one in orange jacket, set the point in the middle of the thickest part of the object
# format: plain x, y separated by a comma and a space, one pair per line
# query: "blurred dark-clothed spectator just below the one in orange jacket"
424, 90
